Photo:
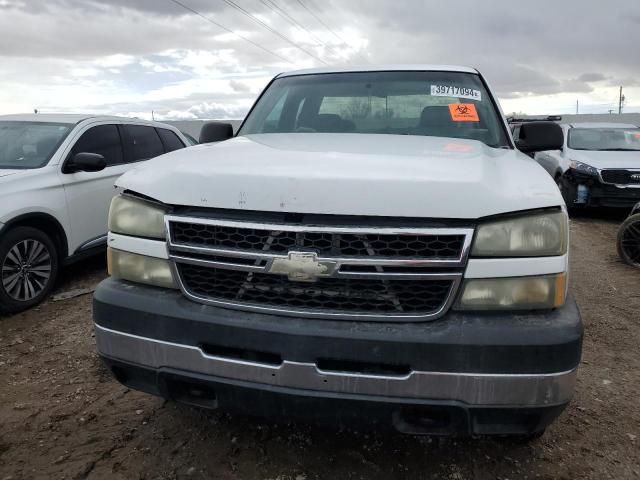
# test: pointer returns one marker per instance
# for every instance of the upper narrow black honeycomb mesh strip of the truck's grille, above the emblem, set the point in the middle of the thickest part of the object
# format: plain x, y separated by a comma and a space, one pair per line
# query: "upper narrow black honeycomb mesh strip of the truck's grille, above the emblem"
326, 244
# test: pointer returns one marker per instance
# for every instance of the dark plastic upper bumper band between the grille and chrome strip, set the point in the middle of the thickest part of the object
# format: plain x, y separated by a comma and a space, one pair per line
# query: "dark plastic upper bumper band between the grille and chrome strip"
541, 342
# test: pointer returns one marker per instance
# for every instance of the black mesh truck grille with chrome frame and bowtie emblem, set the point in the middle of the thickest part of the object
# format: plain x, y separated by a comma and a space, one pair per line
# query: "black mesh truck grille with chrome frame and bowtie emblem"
375, 273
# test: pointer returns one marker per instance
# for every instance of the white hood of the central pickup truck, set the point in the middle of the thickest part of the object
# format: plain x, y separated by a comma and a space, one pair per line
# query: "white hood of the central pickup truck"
348, 174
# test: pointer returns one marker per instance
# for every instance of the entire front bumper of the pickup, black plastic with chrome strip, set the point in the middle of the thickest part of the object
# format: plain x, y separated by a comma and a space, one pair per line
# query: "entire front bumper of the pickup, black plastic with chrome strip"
468, 366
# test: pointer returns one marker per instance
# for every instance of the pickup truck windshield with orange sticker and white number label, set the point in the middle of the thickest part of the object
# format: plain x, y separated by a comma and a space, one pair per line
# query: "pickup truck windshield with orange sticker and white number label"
439, 104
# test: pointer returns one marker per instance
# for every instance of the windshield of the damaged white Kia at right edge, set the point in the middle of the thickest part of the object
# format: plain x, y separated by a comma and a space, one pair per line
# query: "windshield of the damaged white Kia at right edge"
612, 139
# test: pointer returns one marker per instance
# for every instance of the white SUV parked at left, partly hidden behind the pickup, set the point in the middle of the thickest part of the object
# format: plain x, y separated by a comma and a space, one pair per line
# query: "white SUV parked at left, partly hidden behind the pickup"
57, 175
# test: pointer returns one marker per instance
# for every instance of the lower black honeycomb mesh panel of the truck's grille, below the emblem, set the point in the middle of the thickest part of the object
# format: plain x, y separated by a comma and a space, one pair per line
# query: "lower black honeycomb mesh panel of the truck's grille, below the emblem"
355, 296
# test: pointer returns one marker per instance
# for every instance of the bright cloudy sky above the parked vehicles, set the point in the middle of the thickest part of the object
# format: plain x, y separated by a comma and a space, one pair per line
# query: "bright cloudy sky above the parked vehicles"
176, 58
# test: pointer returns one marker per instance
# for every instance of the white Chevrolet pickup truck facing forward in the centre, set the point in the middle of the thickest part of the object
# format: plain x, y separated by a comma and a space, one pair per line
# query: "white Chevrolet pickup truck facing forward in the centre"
371, 245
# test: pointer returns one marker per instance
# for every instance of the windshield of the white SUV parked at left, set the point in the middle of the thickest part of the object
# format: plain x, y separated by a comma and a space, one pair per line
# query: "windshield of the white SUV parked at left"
30, 144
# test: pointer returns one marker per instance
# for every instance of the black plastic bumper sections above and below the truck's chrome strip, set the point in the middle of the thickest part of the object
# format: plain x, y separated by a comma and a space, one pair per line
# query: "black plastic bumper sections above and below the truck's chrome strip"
540, 343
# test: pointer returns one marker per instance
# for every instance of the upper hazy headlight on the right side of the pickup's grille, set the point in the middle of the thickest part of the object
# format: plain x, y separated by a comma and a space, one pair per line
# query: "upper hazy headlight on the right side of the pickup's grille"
538, 235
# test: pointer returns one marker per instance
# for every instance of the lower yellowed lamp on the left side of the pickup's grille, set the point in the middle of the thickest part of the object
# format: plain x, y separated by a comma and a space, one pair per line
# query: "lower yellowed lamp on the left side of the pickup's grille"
140, 268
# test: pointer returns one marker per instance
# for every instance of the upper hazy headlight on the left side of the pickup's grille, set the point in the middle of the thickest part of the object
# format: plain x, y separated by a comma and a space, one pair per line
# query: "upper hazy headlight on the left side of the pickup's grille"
132, 216
